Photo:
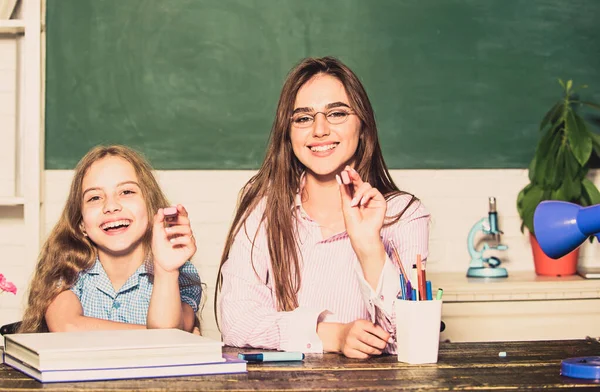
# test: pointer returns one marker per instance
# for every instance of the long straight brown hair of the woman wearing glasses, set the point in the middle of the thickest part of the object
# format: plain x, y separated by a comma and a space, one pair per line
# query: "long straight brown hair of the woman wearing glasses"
278, 179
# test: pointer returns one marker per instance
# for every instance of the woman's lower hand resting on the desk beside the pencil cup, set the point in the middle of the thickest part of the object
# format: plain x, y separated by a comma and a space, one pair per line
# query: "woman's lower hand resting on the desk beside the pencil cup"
361, 339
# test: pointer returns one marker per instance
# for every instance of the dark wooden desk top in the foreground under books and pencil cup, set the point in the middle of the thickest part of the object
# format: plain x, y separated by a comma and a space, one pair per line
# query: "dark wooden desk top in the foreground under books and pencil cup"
461, 366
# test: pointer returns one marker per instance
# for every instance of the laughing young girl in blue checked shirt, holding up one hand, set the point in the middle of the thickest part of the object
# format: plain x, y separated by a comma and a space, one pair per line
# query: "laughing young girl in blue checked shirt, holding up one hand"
113, 261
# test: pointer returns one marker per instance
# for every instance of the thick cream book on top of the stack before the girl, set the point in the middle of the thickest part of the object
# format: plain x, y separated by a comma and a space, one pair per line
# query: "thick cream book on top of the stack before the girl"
111, 349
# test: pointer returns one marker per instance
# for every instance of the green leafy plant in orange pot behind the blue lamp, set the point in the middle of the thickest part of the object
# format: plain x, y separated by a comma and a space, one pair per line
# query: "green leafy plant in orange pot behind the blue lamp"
558, 172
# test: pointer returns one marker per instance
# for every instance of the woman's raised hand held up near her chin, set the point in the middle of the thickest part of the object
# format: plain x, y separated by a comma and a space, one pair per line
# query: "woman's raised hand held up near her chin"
364, 210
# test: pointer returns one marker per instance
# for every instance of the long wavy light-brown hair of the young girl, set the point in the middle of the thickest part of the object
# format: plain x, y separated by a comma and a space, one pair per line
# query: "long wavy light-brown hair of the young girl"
67, 251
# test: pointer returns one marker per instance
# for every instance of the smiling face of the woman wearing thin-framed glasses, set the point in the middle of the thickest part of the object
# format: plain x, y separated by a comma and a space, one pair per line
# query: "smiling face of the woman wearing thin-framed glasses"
324, 148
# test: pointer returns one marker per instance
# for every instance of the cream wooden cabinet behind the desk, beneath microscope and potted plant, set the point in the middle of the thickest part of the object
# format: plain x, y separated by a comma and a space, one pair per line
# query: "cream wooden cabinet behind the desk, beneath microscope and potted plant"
523, 306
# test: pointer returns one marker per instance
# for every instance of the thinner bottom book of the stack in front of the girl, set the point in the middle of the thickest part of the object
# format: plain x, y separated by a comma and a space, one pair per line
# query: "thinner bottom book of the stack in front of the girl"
227, 366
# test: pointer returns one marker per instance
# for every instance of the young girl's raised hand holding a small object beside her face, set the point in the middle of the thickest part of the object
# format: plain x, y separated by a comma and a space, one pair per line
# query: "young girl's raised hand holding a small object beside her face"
173, 242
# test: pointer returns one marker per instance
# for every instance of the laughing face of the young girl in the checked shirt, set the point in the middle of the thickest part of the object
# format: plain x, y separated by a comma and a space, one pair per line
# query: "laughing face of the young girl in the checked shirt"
114, 214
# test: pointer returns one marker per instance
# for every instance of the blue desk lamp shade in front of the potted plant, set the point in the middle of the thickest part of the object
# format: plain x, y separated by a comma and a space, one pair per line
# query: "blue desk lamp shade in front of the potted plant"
561, 227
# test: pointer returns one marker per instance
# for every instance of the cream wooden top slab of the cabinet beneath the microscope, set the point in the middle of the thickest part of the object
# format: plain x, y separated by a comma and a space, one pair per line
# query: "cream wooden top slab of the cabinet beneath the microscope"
518, 286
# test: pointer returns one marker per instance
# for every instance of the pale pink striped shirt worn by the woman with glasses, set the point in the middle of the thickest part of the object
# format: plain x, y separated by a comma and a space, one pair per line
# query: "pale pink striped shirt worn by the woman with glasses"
333, 287
